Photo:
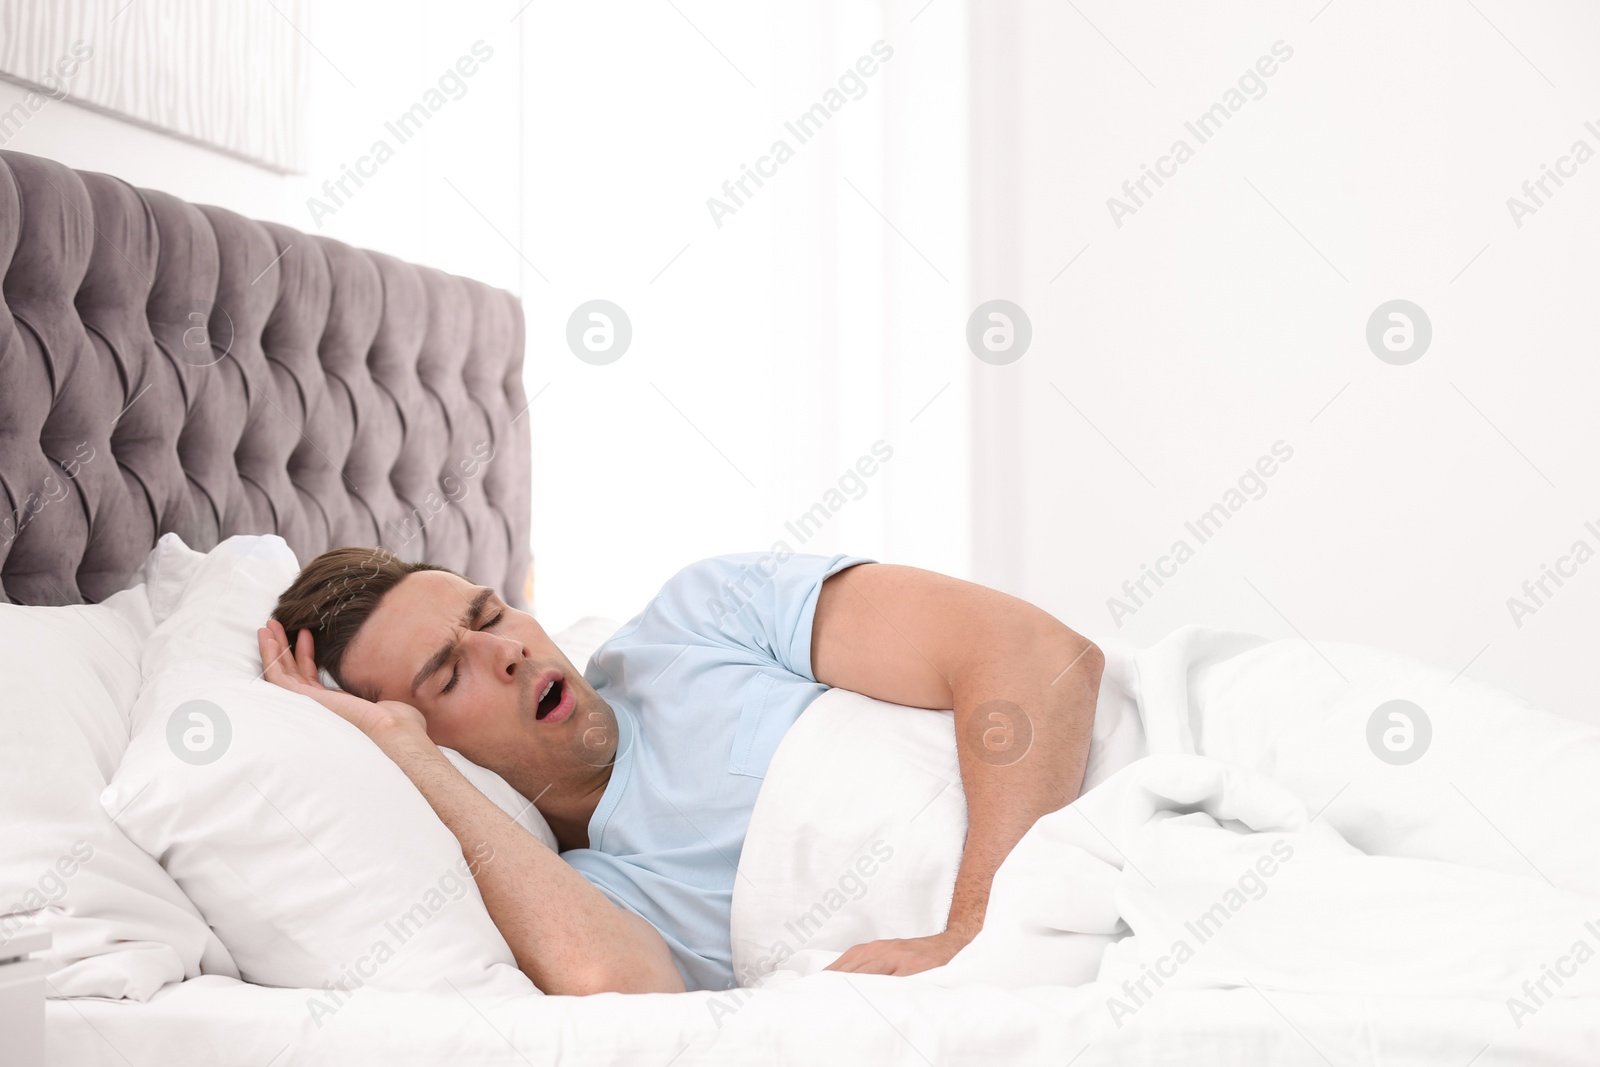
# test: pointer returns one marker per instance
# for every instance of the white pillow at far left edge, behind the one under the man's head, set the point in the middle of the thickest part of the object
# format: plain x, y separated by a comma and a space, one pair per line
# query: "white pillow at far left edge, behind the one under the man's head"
121, 927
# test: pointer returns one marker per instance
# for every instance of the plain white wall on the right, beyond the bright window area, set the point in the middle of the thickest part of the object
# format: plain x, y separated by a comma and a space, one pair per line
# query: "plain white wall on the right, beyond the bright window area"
1215, 322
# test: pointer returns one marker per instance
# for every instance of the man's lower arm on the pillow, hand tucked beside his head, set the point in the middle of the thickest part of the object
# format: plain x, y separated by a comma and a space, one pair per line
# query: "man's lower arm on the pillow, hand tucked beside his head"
566, 935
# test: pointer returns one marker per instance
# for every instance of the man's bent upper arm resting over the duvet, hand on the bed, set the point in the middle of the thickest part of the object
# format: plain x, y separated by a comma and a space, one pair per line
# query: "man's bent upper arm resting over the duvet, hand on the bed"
1023, 687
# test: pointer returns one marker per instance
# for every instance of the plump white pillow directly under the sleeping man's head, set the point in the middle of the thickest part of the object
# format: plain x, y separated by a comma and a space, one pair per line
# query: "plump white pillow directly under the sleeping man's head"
310, 852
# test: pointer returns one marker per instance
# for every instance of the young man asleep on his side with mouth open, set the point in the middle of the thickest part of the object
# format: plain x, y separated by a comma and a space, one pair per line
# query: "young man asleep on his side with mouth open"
647, 765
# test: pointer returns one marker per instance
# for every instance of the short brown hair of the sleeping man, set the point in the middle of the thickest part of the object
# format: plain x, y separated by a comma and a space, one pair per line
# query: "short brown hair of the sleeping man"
335, 594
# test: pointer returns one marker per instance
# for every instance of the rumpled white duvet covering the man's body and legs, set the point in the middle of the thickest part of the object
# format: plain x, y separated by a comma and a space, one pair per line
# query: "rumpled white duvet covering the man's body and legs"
1282, 834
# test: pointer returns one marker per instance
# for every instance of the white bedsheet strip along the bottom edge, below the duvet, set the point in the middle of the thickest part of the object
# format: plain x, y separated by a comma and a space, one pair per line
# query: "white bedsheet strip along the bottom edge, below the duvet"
826, 1020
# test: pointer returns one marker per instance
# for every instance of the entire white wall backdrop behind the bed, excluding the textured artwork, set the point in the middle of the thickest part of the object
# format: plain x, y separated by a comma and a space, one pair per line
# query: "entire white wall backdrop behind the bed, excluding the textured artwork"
1226, 314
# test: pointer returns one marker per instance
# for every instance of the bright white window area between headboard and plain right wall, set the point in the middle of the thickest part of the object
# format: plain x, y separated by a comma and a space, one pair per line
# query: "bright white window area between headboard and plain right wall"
775, 350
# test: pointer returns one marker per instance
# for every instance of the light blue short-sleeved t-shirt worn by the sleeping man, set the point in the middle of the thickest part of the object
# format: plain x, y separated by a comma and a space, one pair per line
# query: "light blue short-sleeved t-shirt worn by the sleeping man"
705, 682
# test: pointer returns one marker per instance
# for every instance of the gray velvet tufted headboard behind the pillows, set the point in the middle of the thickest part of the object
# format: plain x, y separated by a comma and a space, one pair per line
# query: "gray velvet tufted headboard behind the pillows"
167, 367
